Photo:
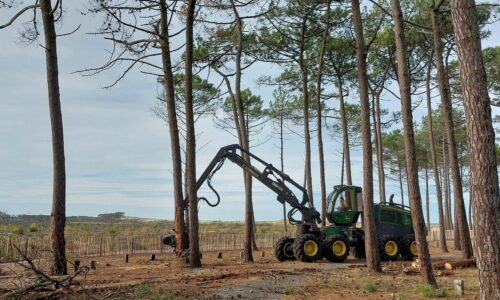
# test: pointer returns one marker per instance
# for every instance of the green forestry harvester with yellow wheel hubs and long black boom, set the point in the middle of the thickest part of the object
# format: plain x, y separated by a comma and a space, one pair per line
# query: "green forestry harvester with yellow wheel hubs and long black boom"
345, 205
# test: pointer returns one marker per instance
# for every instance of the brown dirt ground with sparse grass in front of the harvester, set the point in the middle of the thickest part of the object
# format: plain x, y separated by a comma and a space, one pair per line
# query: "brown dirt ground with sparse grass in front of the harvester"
266, 278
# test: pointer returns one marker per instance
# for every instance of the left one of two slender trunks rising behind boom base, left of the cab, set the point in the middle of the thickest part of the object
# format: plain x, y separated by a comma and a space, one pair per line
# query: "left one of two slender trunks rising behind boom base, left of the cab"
305, 104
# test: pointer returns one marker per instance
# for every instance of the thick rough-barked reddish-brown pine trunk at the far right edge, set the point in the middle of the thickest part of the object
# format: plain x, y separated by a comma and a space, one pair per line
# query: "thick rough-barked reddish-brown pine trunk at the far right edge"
486, 202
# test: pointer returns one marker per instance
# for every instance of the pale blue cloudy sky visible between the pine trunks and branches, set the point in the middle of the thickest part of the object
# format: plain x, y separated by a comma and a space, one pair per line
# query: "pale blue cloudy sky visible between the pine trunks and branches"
117, 153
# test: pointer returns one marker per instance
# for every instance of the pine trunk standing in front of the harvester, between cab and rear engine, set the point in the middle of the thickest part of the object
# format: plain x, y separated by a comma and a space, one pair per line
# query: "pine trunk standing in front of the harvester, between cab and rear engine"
371, 243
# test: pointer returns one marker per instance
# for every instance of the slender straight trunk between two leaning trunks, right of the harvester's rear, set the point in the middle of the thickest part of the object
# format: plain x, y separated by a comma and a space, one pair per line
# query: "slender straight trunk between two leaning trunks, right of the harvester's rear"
435, 167
